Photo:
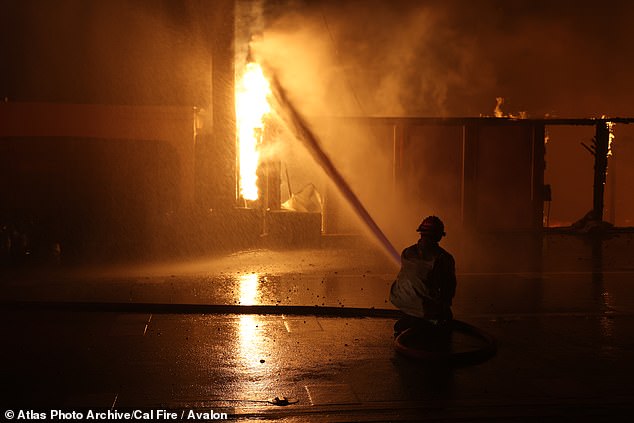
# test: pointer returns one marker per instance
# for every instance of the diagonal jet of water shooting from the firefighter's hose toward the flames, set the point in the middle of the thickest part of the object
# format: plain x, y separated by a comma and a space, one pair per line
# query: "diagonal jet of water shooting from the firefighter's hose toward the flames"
295, 121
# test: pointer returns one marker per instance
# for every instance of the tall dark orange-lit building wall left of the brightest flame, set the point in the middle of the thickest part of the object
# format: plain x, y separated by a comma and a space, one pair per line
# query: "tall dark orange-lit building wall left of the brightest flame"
98, 115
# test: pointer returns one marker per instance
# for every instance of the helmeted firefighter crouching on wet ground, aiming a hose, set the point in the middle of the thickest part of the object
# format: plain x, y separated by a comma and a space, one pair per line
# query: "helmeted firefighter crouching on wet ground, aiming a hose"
426, 283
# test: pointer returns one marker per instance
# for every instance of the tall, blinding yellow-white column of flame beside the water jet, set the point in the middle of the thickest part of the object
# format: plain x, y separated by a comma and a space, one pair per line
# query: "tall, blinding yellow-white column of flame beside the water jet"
251, 108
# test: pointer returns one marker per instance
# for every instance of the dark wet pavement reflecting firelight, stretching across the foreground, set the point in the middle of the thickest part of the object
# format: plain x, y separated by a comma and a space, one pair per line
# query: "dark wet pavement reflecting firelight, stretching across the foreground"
231, 333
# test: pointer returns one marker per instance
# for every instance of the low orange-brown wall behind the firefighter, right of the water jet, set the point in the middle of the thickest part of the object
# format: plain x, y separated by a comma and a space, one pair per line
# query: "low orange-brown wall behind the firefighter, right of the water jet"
483, 177
